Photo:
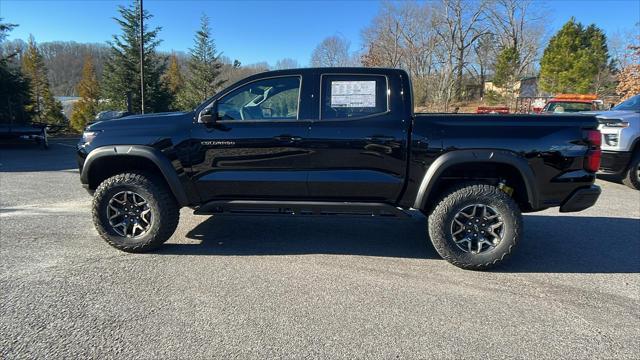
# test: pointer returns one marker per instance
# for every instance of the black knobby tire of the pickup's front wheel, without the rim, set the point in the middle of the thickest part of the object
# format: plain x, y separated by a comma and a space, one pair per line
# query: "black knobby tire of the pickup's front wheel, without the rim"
161, 202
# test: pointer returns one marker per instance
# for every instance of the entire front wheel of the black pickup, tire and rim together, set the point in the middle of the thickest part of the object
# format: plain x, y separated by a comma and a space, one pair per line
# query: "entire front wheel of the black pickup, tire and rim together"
134, 212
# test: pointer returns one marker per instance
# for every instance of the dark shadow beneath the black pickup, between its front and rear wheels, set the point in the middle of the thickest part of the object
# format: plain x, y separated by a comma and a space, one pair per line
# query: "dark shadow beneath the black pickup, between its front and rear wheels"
297, 235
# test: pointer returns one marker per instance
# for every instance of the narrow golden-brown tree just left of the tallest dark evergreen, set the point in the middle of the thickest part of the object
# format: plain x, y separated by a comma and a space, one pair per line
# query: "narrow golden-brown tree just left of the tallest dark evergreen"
86, 108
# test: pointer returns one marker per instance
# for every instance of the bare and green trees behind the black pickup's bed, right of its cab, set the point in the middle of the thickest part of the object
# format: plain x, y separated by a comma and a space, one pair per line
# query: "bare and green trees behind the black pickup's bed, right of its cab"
451, 47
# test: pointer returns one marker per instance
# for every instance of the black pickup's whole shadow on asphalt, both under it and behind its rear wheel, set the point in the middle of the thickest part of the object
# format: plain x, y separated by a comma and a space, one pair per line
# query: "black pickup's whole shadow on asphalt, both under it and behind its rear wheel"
552, 244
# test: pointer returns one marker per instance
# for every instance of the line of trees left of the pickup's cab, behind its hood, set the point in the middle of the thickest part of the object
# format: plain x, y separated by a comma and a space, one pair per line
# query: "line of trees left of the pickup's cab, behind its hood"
107, 77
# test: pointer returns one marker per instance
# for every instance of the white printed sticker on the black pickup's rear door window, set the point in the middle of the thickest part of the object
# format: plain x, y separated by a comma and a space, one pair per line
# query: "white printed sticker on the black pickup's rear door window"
353, 94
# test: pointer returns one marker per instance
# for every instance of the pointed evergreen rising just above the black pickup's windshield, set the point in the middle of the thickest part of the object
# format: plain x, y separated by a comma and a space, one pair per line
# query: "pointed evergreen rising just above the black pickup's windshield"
204, 66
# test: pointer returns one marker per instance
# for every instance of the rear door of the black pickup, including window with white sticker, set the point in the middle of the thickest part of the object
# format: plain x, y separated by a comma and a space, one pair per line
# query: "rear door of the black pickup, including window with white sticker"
359, 143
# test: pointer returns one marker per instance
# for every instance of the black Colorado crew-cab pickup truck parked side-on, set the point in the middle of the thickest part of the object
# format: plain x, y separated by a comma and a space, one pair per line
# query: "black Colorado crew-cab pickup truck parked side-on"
338, 141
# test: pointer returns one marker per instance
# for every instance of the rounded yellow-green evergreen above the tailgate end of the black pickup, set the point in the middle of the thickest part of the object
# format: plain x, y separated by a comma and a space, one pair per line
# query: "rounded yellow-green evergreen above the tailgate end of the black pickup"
574, 60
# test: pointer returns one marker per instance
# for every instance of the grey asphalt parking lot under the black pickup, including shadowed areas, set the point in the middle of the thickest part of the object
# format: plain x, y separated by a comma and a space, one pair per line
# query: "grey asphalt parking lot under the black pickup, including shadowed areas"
304, 287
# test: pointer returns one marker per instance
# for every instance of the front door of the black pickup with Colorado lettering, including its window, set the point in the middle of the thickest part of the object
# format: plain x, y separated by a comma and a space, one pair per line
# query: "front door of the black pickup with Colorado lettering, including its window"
255, 148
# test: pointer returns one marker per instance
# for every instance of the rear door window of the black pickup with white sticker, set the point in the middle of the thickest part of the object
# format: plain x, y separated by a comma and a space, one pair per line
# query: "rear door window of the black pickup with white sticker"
353, 96
